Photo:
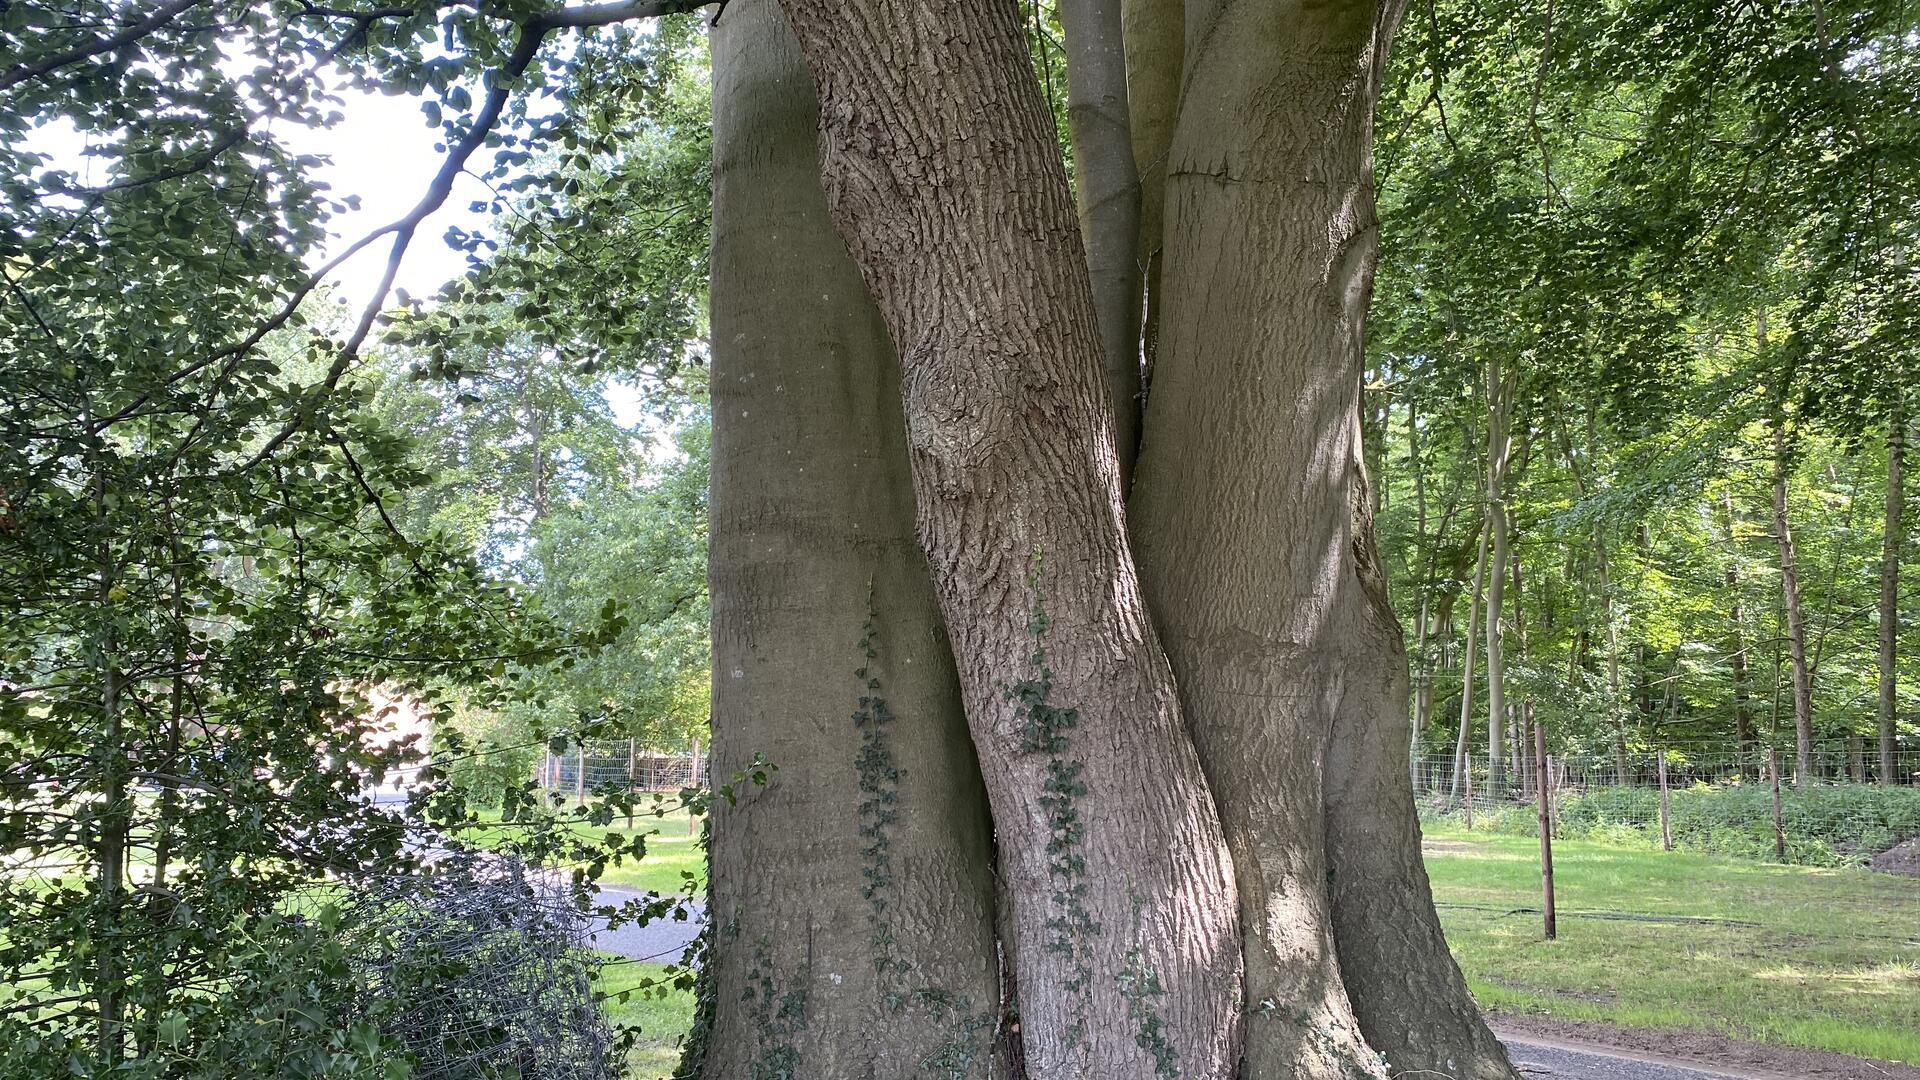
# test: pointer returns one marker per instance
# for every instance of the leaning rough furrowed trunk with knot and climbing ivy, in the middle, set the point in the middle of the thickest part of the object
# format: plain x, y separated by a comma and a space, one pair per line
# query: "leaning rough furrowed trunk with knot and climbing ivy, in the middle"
942, 172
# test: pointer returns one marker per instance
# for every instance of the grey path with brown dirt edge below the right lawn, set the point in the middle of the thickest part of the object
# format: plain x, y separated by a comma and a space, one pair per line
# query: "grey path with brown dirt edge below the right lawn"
1573, 1050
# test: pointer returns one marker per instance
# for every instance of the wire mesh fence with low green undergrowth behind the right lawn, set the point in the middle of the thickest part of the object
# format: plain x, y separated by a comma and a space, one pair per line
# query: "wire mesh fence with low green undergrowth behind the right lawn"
1737, 802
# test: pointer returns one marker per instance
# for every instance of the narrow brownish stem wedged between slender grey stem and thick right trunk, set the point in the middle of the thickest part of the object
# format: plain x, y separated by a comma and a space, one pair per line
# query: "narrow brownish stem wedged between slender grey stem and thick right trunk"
1155, 39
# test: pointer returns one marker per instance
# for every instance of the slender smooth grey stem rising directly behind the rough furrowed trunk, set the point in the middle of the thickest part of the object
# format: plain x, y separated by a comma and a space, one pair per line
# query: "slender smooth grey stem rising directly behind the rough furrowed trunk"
1109, 189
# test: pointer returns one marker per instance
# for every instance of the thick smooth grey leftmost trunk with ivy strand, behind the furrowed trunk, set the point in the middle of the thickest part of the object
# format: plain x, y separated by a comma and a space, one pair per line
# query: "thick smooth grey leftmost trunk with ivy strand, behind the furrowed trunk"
853, 895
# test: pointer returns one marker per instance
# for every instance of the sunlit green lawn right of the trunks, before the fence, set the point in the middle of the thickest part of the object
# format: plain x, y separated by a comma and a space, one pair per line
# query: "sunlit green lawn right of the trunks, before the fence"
1815, 958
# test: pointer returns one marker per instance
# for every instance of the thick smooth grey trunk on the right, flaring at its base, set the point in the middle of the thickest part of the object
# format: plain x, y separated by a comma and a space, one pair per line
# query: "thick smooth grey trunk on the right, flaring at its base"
1245, 508
